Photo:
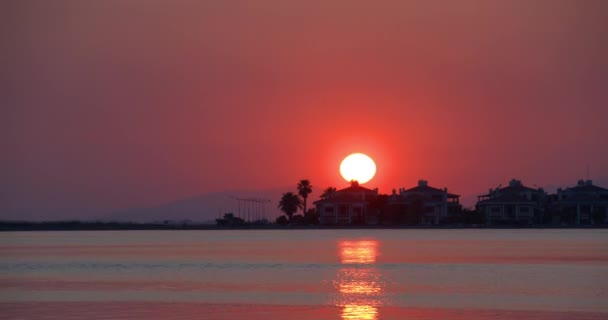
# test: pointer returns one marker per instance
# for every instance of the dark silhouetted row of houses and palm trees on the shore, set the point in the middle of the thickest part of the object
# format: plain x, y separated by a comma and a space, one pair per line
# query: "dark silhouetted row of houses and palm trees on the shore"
583, 204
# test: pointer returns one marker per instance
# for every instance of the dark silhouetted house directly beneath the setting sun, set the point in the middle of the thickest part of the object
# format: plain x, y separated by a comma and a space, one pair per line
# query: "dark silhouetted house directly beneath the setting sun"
349, 206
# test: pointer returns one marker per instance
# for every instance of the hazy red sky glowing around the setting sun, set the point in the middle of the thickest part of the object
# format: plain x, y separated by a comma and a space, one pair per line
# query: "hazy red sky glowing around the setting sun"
116, 104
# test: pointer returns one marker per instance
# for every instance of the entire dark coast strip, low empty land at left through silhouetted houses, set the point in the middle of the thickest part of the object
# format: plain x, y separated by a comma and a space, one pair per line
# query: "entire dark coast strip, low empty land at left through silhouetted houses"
582, 205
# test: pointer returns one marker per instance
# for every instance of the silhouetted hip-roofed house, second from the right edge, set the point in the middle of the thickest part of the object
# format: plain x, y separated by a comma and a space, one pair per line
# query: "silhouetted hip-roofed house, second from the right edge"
513, 204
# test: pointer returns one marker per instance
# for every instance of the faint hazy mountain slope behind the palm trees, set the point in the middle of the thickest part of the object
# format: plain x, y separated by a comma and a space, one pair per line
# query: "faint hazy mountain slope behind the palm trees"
208, 207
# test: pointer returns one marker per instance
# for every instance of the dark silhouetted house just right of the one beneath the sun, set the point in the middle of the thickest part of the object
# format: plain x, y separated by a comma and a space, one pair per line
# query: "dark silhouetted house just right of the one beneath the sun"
422, 204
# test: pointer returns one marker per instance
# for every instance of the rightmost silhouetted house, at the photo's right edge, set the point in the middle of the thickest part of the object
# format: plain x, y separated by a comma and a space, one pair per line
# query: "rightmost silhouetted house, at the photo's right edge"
583, 204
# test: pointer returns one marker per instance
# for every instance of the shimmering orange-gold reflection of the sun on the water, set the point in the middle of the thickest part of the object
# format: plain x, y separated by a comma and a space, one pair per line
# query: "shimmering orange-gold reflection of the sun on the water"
359, 285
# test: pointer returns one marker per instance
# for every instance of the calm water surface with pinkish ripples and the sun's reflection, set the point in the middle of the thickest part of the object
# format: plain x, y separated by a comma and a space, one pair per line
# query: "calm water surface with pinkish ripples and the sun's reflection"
305, 274
